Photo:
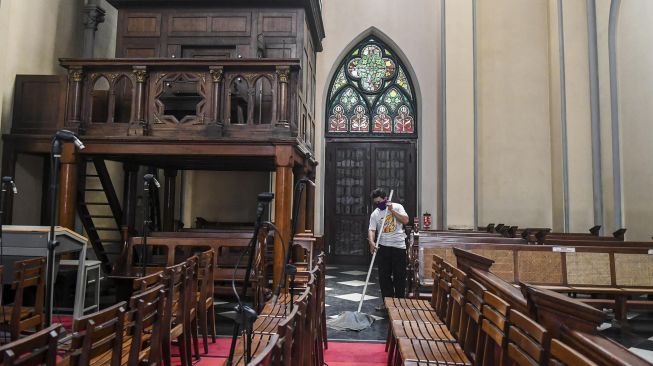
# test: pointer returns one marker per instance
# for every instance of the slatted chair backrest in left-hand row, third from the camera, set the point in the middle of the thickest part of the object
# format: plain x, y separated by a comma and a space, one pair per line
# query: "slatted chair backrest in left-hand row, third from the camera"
147, 309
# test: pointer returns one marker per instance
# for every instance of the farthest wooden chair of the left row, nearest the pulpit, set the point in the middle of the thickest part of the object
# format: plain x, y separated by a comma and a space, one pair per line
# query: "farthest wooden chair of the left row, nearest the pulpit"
205, 301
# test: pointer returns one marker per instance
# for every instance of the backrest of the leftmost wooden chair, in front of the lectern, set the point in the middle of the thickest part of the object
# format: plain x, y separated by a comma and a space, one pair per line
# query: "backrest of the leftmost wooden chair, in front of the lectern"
29, 273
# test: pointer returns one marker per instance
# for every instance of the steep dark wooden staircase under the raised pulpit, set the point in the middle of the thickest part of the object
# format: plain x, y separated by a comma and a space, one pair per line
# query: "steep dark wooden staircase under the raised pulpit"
100, 212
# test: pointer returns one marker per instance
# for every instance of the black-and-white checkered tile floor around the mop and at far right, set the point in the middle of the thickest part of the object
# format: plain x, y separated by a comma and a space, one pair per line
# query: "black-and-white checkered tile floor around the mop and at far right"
344, 285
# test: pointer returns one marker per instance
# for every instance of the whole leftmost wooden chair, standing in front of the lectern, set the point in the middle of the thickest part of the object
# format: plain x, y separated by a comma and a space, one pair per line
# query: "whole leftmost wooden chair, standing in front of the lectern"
17, 317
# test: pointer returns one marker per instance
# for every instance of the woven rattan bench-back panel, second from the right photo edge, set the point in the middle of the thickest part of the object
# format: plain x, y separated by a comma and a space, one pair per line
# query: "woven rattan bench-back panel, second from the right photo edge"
588, 269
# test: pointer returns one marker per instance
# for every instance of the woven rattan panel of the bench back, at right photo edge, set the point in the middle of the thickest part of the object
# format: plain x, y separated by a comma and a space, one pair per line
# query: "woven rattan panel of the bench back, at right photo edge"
634, 269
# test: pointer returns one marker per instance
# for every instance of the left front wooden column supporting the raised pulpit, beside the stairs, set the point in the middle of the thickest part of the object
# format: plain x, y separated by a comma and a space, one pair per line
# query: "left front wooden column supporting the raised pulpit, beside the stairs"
68, 186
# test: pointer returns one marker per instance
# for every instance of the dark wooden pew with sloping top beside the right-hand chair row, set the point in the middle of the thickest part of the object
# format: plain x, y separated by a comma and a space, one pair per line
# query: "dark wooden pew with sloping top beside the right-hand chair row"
564, 318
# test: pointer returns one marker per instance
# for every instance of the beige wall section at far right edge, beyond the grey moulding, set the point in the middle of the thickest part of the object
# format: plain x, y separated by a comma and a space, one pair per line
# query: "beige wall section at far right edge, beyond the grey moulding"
635, 72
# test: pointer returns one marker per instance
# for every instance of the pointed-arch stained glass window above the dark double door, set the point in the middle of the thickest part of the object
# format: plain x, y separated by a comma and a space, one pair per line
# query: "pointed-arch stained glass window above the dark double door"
371, 94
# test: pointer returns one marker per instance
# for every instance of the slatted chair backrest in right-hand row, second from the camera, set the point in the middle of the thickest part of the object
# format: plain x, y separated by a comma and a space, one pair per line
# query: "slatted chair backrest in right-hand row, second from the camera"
527, 340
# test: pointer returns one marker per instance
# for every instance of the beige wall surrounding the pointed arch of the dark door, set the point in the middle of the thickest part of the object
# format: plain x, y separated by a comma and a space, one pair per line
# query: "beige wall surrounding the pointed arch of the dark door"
413, 26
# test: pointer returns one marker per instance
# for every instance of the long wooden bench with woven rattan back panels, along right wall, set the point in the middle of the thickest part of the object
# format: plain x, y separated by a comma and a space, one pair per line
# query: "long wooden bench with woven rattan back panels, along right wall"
615, 274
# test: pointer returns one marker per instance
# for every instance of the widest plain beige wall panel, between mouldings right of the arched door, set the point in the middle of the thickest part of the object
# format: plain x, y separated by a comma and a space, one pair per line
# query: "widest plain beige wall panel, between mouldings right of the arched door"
513, 113
